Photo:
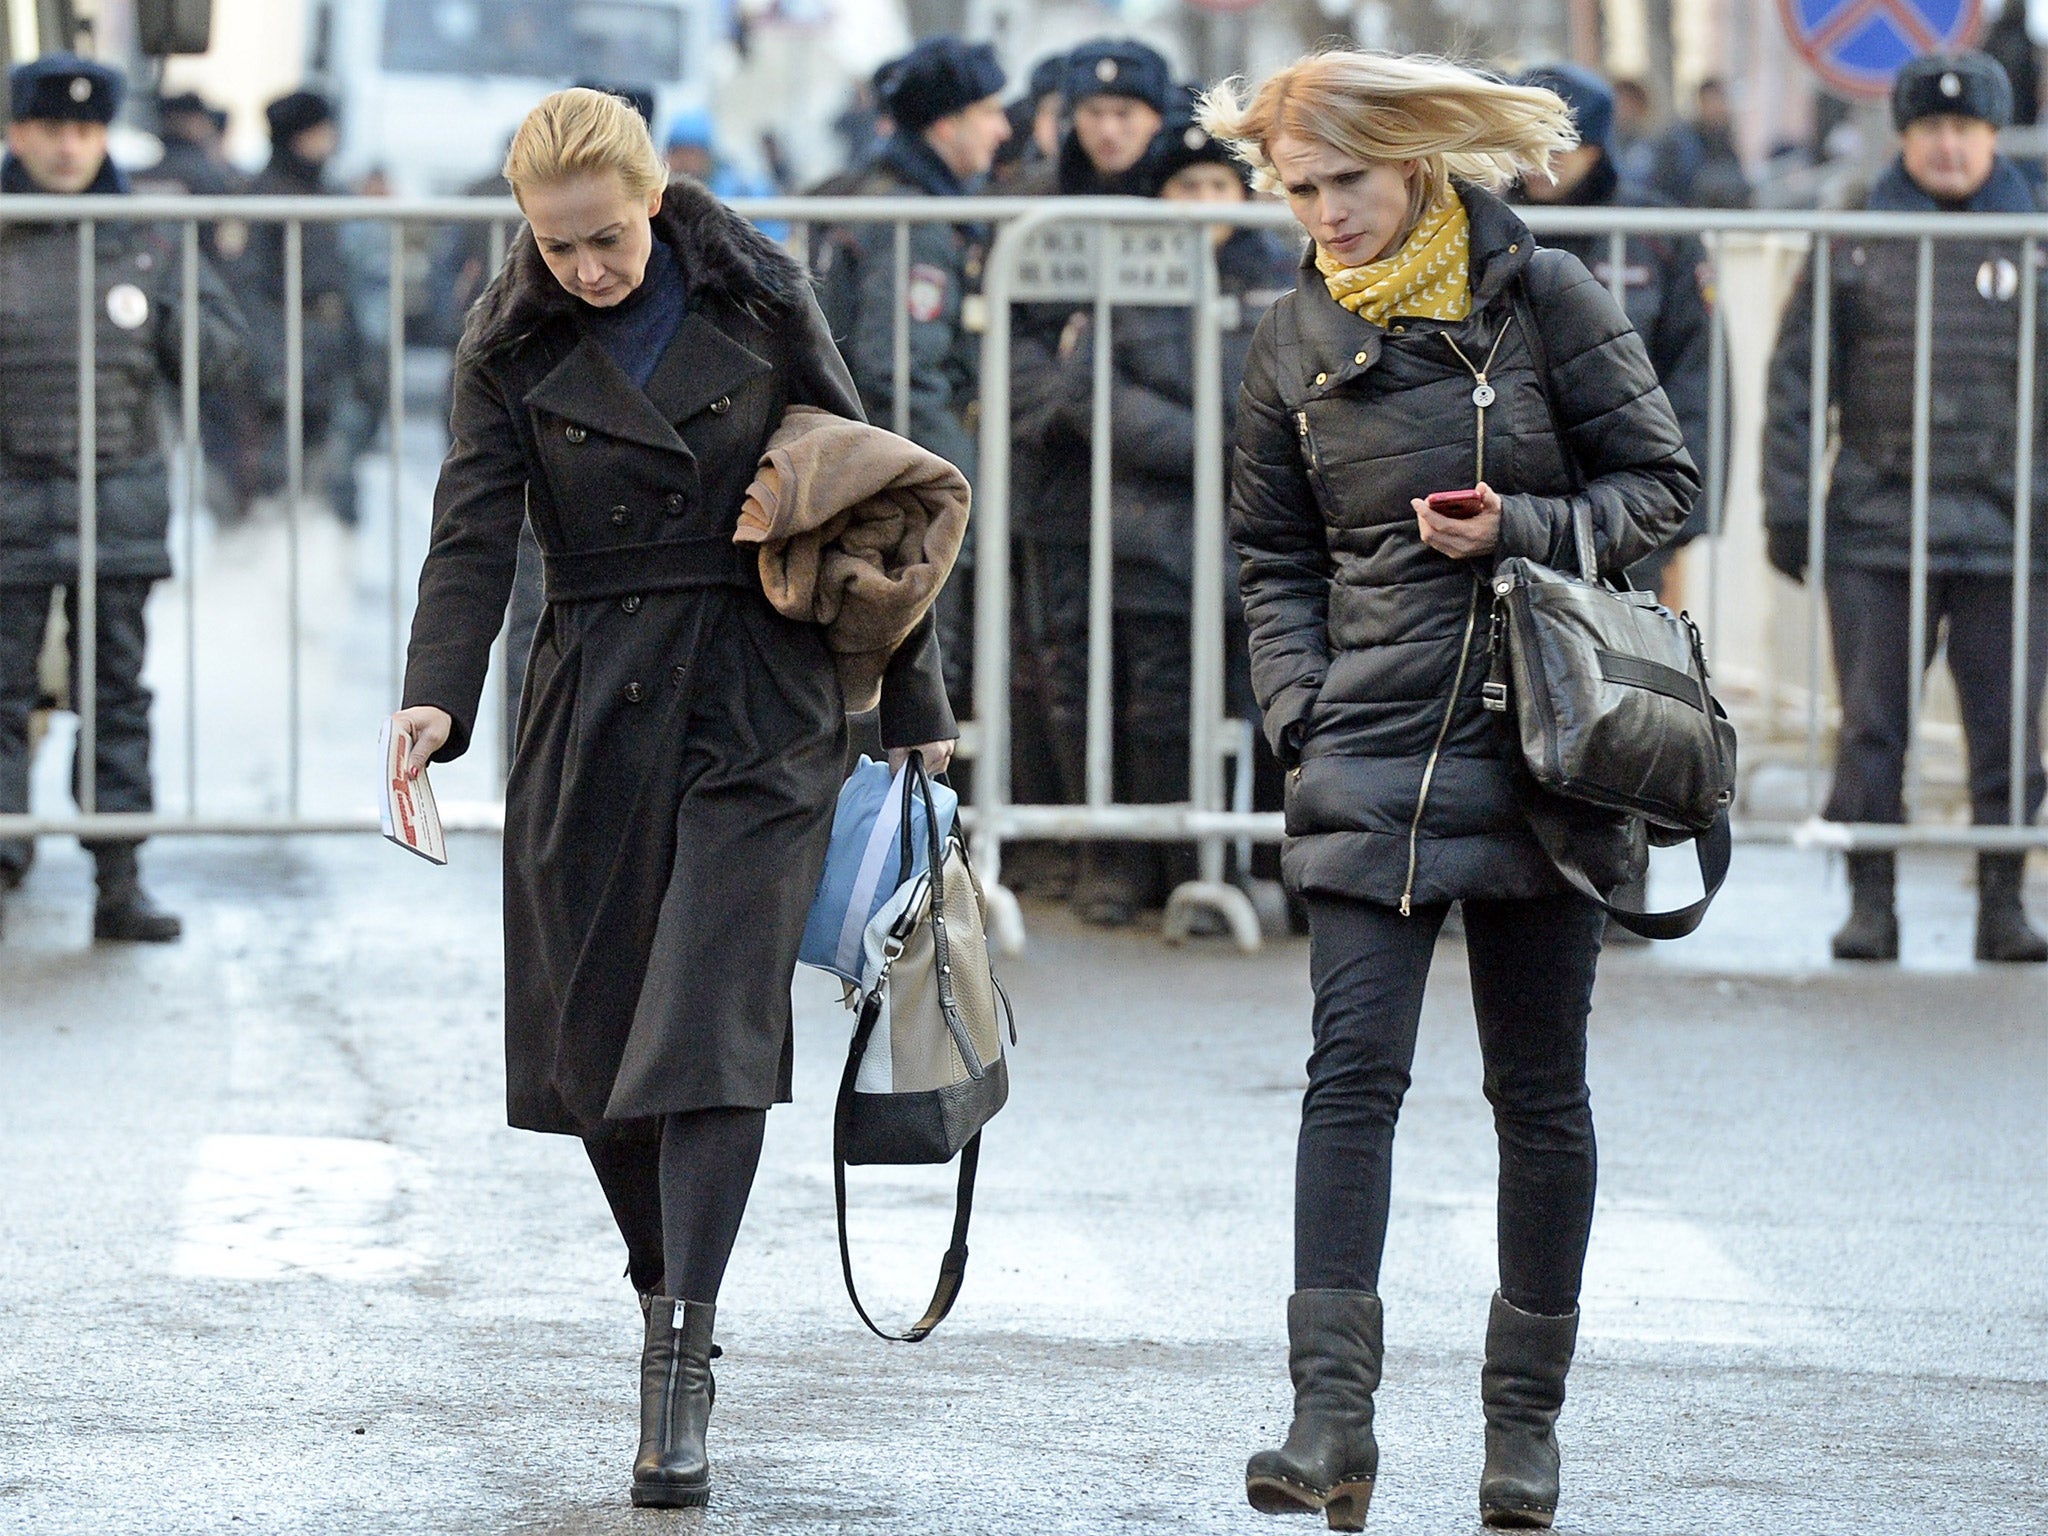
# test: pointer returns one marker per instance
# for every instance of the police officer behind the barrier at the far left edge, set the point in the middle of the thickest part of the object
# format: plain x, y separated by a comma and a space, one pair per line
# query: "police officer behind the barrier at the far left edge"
58, 144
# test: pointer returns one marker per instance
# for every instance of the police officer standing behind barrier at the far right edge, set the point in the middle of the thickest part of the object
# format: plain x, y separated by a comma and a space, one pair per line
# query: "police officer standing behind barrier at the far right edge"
1949, 112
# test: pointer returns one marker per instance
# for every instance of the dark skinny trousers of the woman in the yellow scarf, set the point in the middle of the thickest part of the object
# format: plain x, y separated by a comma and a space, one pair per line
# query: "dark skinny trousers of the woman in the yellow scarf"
1533, 986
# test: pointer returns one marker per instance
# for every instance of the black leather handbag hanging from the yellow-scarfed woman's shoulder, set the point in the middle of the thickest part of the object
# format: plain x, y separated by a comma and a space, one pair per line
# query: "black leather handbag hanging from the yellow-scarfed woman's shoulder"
1611, 703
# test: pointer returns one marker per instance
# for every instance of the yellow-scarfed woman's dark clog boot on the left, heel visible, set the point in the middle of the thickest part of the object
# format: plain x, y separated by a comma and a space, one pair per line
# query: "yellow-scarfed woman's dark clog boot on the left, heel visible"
1330, 1455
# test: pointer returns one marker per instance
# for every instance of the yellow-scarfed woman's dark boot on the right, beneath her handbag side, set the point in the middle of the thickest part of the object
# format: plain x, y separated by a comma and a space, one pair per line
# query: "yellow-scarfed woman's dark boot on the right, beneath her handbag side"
1523, 1390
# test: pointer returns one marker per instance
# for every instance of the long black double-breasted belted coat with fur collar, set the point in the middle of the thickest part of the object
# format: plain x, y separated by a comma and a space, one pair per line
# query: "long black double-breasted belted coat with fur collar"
681, 744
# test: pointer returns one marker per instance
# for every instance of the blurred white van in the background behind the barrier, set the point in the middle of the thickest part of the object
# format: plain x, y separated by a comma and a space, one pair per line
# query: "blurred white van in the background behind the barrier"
433, 89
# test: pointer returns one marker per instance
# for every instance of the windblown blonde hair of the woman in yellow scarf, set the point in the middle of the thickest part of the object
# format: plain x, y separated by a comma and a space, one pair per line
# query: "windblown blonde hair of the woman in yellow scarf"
1392, 108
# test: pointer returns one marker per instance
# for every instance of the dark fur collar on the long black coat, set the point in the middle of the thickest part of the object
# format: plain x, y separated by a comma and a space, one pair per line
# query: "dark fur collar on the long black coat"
724, 261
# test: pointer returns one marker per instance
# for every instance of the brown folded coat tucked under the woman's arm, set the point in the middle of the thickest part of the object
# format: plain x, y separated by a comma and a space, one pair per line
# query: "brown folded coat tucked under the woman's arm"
857, 531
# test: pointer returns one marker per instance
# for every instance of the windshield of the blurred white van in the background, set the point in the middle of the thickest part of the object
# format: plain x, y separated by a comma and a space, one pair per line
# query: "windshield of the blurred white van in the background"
540, 40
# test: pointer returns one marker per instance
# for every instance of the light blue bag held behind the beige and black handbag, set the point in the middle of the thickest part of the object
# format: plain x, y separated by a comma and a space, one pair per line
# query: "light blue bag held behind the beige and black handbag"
865, 865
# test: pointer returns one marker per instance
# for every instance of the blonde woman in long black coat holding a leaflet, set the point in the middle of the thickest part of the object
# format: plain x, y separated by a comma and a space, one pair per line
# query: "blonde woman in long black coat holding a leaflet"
681, 744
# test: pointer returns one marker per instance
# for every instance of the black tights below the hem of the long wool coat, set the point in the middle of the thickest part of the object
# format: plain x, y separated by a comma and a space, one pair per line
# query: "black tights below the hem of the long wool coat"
679, 1201
